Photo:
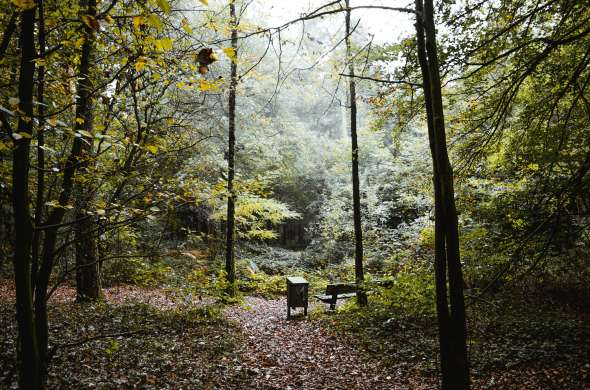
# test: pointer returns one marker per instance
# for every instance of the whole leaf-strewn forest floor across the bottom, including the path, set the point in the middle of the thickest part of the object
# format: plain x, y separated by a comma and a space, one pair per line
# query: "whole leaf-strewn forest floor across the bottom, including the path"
150, 338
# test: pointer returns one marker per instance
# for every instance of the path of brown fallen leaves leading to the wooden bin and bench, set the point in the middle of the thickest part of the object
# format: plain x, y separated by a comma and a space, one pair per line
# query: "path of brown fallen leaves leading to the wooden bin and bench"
301, 354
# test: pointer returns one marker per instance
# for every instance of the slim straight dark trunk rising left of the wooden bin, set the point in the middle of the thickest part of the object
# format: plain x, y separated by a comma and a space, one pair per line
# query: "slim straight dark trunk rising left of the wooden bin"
230, 267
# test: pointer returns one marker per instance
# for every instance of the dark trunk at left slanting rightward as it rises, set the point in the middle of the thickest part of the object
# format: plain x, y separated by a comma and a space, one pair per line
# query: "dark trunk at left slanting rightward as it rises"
55, 217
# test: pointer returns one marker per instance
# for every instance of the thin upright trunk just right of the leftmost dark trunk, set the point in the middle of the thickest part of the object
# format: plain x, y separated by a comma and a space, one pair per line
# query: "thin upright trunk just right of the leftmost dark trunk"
40, 198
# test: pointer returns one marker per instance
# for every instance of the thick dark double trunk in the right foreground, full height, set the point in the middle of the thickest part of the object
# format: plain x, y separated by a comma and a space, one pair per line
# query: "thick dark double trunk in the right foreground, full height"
452, 327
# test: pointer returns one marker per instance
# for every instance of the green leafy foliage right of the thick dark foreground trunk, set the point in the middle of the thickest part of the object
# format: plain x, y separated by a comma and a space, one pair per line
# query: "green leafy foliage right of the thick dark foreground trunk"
522, 117
